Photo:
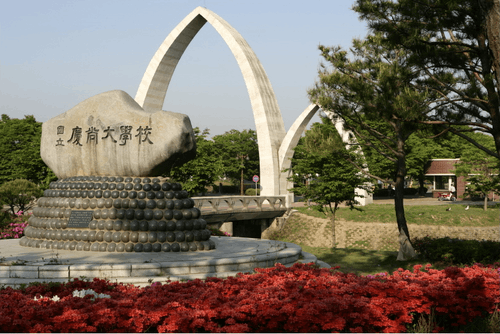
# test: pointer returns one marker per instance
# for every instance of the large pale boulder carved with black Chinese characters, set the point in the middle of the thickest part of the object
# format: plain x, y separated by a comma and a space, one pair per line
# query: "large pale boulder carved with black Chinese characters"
110, 134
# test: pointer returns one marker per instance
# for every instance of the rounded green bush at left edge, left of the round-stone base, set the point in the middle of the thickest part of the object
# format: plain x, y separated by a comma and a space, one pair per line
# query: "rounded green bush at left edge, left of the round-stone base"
19, 194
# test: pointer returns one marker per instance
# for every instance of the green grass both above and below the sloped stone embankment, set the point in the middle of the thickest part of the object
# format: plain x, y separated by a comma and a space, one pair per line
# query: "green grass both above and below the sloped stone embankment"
365, 262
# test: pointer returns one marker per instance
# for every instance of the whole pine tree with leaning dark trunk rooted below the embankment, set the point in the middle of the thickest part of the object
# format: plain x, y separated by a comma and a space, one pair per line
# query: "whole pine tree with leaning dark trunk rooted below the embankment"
373, 90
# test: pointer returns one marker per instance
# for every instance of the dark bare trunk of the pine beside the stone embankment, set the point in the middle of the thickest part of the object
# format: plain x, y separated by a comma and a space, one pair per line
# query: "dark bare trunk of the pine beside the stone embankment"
406, 250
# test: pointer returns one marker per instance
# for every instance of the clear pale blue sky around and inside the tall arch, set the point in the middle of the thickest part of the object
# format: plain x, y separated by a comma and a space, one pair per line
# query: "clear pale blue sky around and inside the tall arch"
55, 54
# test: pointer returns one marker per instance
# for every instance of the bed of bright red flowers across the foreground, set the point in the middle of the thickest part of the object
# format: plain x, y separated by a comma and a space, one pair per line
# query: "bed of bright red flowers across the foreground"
297, 299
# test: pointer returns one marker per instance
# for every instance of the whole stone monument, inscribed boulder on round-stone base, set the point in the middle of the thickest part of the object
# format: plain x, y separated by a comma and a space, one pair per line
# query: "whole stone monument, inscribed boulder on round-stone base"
108, 153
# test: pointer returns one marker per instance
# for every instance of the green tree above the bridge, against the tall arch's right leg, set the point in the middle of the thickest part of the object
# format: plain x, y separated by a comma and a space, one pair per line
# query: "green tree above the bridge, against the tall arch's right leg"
239, 152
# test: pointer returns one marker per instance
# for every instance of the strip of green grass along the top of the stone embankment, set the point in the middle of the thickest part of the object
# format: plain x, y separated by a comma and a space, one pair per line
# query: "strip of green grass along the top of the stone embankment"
417, 214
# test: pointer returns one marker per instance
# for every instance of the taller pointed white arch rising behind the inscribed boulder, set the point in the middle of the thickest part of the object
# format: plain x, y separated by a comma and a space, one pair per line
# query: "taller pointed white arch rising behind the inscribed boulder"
268, 121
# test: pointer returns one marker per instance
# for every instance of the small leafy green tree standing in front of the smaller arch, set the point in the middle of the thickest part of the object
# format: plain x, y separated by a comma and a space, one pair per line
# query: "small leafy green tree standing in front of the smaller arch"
320, 171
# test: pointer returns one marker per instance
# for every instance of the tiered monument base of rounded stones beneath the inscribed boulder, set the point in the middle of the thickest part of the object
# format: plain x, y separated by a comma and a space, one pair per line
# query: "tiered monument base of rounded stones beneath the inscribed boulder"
123, 214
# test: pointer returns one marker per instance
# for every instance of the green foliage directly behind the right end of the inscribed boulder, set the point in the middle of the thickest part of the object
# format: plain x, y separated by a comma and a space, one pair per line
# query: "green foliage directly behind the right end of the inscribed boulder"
202, 171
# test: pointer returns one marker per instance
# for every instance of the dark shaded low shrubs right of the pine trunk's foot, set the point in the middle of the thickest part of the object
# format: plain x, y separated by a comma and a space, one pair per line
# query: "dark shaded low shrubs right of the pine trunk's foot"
457, 251
